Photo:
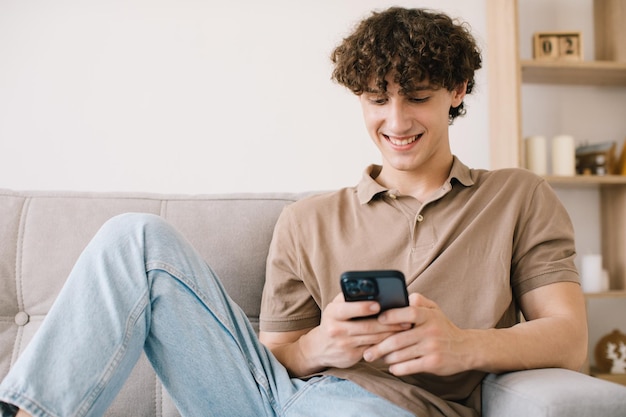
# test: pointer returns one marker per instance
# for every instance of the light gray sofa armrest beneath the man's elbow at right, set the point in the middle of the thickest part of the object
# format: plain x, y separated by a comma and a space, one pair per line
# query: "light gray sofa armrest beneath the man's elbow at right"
551, 393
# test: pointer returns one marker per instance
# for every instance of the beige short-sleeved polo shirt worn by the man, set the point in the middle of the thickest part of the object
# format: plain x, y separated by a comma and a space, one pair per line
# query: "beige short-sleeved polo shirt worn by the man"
482, 240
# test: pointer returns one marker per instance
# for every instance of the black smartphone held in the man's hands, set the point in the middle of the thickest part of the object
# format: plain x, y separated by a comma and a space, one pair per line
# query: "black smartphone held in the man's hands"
388, 287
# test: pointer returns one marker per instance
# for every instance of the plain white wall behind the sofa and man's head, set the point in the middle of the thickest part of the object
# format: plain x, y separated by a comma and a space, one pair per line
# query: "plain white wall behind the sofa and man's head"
191, 96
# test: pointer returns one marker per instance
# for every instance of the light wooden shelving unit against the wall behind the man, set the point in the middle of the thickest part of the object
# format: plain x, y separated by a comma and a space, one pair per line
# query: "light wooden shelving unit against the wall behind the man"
507, 73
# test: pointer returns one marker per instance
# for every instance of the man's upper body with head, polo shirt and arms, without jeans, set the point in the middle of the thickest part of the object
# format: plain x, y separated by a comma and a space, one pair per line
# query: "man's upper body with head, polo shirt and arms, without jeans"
474, 245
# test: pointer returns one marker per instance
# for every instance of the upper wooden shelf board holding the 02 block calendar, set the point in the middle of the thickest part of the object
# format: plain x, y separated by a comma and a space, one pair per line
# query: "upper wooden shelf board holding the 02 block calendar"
598, 73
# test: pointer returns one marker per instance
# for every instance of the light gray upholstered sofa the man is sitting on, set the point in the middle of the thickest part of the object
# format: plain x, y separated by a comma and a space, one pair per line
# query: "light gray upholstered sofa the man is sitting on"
42, 234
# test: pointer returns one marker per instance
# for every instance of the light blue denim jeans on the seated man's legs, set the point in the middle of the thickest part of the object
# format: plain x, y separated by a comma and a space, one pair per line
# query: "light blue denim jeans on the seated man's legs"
139, 285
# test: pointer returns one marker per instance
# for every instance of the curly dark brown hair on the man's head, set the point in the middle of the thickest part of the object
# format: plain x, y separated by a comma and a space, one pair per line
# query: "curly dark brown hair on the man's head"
415, 45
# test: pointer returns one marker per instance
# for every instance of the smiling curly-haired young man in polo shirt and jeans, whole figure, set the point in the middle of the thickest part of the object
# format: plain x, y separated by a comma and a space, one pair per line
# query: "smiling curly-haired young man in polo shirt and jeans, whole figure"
475, 246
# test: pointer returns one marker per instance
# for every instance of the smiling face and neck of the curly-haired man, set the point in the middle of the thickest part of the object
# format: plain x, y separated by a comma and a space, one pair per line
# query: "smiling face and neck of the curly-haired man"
410, 129
